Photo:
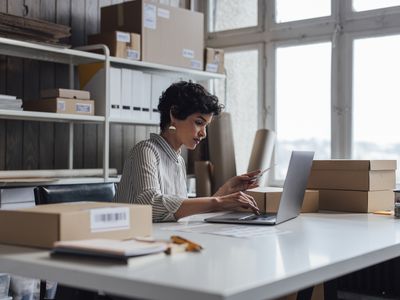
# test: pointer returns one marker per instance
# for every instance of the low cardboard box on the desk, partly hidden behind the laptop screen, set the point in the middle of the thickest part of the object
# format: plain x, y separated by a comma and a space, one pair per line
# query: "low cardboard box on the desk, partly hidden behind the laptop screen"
268, 199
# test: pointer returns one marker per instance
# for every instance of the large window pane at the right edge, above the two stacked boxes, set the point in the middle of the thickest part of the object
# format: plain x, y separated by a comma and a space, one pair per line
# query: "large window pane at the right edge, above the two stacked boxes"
376, 95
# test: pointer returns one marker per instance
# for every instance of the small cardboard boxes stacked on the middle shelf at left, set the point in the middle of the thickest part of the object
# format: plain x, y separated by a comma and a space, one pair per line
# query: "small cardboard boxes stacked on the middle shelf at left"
65, 101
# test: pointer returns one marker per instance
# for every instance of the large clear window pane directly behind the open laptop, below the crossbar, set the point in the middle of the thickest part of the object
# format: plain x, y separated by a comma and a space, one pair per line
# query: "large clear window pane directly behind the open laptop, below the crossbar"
303, 87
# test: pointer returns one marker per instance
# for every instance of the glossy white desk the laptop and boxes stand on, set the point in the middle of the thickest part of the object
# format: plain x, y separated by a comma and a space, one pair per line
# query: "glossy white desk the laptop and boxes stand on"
315, 248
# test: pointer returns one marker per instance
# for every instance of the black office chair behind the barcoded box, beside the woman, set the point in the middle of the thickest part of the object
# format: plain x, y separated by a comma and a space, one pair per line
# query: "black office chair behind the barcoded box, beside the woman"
51, 194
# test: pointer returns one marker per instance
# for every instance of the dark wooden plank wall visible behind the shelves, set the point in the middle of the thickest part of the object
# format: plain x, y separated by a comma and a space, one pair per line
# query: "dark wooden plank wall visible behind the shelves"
44, 145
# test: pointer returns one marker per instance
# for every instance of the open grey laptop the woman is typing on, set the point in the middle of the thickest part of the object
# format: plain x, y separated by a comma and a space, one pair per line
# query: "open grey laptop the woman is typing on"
291, 200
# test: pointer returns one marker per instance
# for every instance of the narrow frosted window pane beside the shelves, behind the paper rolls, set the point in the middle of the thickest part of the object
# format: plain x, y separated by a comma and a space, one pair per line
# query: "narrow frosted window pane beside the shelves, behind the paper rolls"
241, 101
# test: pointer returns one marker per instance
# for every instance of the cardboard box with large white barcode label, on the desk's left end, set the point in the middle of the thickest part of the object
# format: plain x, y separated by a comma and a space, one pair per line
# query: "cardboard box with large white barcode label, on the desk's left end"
42, 225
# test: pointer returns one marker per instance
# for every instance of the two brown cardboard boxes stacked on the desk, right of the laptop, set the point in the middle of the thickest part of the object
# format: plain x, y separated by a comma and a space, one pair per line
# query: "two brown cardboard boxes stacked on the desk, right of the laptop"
354, 185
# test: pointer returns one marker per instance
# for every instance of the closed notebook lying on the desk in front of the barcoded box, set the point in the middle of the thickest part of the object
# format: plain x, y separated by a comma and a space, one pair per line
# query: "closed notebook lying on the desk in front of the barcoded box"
108, 248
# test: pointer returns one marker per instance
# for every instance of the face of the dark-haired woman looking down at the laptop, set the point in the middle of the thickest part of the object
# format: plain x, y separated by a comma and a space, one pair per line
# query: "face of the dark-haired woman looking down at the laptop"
193, 129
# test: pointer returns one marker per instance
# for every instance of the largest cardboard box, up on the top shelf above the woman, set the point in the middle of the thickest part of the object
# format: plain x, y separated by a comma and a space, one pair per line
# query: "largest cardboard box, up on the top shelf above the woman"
170, 35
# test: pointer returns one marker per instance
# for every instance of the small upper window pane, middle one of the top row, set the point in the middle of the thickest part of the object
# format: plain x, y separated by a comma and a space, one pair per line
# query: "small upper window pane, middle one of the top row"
294, 10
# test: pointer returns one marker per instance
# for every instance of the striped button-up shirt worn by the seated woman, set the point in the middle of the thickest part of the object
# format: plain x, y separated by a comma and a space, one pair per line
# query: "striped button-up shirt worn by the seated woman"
154, 174
